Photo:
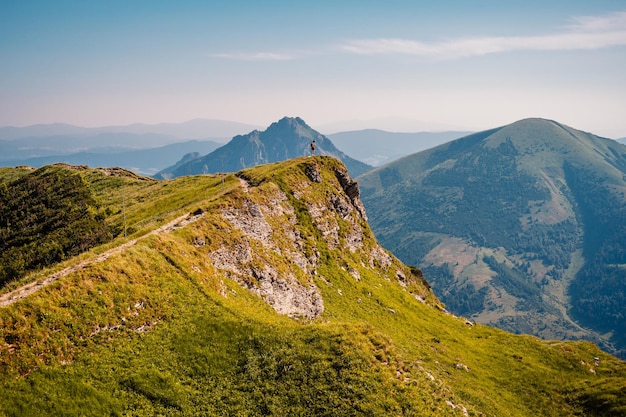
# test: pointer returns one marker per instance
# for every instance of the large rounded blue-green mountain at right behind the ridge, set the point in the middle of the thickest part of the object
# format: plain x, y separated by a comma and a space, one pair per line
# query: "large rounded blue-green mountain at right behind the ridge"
522, 227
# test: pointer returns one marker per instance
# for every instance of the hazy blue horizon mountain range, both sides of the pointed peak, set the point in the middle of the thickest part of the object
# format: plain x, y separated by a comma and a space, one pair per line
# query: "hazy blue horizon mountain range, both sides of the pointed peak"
148, 149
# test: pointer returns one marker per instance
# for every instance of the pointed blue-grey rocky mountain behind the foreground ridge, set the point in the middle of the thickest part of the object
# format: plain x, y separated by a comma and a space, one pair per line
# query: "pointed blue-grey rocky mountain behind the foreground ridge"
288, 138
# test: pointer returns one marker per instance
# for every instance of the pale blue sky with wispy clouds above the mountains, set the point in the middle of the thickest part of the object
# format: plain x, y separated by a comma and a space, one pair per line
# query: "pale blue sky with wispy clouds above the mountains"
338, 64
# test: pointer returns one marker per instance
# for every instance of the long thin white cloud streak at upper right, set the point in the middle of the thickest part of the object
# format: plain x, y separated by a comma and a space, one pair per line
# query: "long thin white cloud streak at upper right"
587, 32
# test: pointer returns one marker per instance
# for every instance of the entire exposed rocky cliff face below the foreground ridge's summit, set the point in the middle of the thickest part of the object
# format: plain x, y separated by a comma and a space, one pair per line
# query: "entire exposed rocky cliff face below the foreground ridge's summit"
269, 255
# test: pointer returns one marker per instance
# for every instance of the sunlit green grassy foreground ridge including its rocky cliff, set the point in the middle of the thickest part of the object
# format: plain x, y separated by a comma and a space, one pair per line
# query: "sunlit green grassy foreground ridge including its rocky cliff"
266, 293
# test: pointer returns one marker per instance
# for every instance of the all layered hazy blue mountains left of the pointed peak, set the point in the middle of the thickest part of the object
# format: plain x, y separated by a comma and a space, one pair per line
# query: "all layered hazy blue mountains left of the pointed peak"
144, 149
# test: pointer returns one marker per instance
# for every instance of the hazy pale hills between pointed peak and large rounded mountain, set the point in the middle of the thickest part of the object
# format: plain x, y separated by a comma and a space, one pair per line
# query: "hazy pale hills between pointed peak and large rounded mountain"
376, 147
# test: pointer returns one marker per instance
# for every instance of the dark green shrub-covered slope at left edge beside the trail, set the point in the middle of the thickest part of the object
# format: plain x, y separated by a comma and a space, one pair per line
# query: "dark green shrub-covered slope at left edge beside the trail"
46, 216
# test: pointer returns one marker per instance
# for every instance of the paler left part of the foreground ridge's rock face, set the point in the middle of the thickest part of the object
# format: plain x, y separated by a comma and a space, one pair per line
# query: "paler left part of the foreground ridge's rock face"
273, 225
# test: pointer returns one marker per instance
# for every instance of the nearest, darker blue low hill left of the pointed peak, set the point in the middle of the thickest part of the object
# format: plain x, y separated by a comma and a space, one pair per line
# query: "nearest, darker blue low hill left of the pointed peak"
142, 161
